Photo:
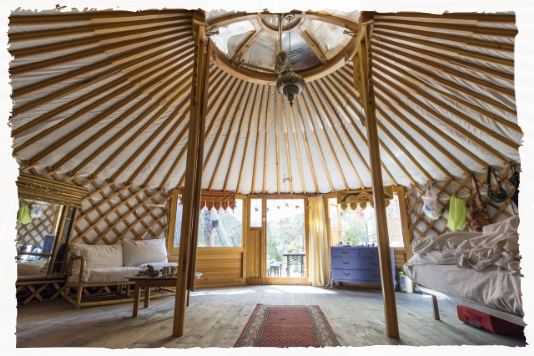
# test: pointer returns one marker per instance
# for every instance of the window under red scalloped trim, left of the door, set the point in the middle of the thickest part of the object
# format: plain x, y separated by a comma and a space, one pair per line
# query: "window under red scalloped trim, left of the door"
223, 228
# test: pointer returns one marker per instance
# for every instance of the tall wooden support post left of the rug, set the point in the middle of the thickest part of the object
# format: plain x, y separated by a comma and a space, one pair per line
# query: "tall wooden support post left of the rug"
193, 179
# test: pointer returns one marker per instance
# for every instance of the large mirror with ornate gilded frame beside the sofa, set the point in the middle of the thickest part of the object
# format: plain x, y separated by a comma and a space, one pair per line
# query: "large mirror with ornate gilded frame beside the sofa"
36, 221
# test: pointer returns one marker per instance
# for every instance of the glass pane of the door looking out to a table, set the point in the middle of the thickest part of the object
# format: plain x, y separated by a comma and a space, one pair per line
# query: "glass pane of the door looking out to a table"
286, 238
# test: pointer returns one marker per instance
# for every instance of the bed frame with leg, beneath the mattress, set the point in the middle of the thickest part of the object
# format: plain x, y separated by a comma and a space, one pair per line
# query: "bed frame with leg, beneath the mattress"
516, 319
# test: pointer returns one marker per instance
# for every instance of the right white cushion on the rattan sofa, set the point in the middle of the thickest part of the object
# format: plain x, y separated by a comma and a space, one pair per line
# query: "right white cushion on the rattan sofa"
138, 252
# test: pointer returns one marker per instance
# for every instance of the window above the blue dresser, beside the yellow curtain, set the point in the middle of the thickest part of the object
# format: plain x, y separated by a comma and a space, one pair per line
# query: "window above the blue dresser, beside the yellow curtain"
359, 226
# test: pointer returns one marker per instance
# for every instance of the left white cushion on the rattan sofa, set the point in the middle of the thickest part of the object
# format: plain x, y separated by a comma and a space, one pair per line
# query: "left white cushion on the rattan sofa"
96, 256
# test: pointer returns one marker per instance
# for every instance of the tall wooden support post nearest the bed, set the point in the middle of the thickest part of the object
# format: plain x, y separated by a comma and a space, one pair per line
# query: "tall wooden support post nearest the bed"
384, 251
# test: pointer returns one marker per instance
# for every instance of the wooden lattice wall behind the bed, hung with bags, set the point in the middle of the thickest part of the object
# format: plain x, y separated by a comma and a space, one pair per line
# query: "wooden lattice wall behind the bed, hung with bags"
423, 226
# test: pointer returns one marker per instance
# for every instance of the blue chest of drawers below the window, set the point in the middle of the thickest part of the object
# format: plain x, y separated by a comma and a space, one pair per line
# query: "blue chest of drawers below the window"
358, 265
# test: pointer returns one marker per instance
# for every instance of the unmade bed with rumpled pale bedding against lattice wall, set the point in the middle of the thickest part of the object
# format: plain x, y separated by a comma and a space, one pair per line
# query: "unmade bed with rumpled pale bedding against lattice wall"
497, 277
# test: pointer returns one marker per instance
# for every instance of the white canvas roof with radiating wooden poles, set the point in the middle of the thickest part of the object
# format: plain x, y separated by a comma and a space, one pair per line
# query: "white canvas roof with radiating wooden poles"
101, 89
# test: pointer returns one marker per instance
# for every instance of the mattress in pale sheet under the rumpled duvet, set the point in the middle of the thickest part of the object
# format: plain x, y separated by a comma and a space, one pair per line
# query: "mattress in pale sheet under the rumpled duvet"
510, 293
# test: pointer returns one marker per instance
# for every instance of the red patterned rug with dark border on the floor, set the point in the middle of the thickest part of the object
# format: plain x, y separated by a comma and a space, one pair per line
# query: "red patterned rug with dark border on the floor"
287, 330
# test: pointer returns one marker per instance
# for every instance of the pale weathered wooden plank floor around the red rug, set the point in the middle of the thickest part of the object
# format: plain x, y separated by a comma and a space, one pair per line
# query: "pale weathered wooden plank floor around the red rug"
217, 316
